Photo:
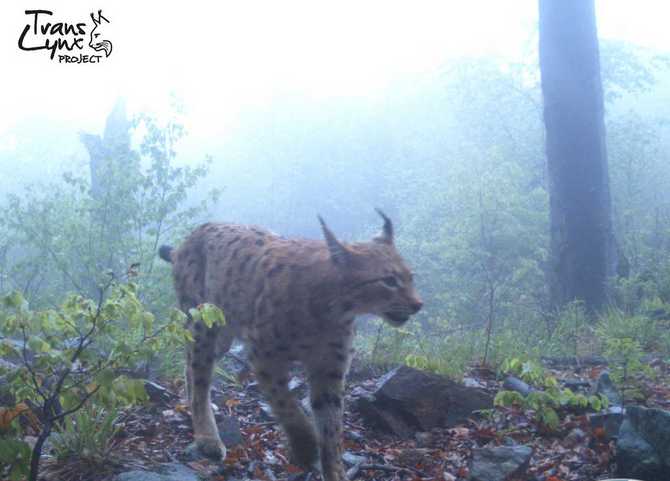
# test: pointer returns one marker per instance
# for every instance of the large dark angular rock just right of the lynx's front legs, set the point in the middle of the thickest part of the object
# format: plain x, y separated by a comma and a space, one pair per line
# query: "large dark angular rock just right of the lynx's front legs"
408, 400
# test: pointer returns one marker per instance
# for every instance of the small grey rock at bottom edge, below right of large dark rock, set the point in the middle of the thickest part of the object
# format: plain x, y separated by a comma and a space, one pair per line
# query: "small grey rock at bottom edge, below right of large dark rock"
500, 463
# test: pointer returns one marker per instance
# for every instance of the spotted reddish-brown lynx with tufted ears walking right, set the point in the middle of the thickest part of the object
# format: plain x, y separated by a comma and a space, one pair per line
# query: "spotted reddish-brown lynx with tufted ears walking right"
287, 300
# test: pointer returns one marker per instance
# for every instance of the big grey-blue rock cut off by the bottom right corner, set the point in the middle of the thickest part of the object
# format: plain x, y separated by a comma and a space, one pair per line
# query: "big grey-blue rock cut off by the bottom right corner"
643, 446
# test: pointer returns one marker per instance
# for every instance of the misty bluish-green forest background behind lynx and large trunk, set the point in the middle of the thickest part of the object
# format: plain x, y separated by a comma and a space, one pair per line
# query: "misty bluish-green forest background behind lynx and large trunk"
457, 160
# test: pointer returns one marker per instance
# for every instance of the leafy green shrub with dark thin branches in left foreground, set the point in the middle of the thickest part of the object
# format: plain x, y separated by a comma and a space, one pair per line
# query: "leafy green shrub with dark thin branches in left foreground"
72, 357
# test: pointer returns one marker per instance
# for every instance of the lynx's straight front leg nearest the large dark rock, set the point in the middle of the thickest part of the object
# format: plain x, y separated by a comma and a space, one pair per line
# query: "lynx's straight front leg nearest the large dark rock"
326, 383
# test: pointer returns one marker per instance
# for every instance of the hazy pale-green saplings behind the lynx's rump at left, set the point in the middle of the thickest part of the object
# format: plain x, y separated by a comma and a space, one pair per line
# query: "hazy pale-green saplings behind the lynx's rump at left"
66, 237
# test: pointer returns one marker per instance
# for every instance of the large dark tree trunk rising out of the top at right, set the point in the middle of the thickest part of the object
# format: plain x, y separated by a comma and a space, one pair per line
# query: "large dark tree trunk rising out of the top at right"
583, 253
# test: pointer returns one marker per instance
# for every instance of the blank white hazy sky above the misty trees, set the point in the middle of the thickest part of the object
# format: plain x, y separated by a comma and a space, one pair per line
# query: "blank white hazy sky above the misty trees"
222, 57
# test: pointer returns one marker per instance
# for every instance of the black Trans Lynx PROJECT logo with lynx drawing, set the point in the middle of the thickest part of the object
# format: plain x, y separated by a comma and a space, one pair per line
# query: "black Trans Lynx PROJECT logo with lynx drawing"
66, 41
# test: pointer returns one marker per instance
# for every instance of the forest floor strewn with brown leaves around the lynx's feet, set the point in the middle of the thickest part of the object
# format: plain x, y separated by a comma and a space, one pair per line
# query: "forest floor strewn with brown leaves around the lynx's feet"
158, 433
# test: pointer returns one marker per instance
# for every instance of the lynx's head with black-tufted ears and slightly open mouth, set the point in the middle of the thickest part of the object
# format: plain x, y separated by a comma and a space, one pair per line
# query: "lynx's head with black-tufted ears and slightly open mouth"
374, 277
